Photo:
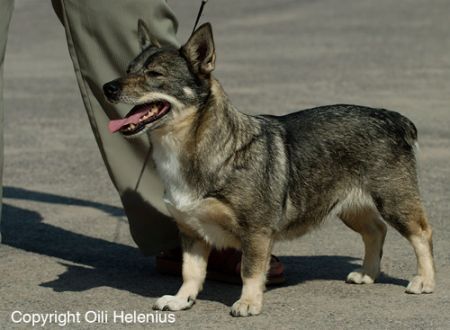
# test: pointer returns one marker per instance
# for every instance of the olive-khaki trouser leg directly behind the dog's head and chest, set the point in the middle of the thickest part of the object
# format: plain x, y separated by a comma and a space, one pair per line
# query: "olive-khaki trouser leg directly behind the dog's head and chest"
102, 40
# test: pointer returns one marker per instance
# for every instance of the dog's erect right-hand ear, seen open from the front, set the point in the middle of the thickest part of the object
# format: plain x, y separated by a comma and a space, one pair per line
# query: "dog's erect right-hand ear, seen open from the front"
200, 51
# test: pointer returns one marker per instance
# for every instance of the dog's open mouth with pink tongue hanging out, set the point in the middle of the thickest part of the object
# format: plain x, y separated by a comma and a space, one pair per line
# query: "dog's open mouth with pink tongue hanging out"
139, 117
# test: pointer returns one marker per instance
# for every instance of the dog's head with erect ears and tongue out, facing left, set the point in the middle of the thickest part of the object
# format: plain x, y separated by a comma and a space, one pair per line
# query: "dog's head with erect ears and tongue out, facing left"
163, 81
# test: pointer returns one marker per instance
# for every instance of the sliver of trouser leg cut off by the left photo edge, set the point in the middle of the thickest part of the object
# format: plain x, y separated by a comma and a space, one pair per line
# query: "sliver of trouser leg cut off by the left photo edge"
6, 9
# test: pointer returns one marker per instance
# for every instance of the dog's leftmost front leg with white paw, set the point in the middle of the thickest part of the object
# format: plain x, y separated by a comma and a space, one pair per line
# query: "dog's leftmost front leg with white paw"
195, 260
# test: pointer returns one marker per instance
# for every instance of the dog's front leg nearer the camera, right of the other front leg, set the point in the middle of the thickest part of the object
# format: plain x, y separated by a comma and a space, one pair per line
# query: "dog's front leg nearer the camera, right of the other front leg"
255, 264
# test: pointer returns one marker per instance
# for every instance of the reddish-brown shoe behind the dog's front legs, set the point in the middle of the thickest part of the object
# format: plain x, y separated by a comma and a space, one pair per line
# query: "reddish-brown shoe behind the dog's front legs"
223, 266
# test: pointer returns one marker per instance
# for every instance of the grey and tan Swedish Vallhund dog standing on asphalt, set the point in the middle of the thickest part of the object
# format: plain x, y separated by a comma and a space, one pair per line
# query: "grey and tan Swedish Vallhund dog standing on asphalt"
245, 181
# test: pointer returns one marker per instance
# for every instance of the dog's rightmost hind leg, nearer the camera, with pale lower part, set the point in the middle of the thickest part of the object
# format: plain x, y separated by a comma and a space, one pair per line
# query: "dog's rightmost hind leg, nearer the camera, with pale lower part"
404, 211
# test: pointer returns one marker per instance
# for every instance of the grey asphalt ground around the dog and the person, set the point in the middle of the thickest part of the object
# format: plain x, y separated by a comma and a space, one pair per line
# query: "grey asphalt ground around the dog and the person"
67, 245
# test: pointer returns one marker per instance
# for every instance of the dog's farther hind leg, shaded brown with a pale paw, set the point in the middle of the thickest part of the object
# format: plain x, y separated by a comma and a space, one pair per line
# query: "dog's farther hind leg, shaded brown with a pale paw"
366, 222
